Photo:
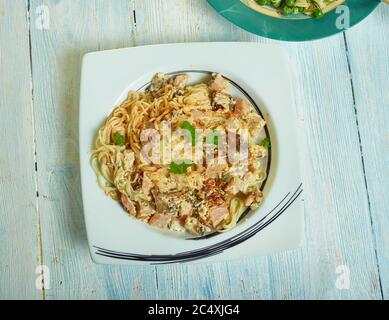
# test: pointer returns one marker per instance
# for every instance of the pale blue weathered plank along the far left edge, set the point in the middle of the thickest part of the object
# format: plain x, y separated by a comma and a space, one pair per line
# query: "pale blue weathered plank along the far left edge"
19, 250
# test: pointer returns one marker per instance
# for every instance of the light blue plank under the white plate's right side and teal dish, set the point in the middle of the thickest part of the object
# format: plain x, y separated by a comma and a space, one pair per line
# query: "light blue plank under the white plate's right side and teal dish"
337, 213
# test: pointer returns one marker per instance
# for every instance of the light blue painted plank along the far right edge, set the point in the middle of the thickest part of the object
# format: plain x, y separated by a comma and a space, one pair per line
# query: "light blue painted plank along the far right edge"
369, 58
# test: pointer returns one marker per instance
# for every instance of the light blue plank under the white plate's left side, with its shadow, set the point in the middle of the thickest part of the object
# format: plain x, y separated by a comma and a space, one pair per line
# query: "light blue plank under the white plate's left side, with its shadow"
75, 28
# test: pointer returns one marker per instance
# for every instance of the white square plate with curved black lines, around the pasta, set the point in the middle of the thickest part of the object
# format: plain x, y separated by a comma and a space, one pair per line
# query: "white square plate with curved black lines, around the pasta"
258, 71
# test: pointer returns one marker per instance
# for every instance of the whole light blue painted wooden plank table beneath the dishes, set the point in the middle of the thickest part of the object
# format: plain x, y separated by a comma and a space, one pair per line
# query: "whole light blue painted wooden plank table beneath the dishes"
341, 87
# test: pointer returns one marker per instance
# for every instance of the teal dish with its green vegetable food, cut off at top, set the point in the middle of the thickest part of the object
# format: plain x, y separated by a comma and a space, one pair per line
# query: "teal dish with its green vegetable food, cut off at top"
315, 22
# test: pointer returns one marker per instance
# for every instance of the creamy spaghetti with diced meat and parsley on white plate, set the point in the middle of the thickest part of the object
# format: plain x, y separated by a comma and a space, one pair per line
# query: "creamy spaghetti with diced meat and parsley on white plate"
184, 157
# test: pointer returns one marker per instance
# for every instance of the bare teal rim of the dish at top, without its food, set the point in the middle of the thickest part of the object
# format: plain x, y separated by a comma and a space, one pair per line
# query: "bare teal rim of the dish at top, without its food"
286, 29
